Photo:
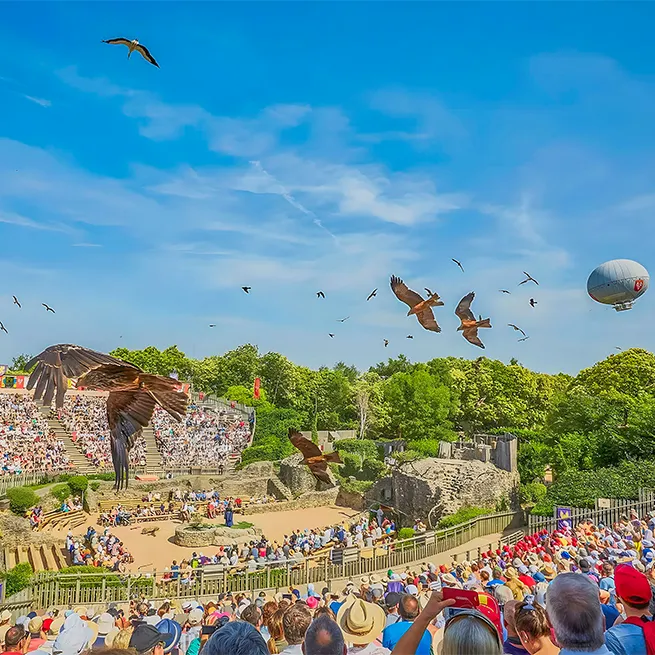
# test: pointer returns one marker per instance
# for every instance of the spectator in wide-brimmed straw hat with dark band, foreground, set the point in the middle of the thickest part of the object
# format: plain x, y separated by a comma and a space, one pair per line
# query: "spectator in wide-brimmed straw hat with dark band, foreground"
362, 625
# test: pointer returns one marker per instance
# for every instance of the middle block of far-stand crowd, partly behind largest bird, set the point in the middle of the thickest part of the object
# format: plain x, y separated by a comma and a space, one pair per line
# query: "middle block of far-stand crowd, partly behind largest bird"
85, 417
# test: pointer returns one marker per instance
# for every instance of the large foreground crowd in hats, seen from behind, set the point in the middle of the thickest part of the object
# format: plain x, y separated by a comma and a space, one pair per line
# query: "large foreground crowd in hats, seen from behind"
582, 590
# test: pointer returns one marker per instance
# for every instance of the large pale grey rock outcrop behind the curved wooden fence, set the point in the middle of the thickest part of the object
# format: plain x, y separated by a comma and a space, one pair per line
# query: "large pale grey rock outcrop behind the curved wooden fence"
439, 487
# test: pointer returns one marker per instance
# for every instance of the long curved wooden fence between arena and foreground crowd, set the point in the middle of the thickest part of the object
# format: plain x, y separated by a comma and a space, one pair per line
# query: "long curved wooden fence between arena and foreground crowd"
50, 589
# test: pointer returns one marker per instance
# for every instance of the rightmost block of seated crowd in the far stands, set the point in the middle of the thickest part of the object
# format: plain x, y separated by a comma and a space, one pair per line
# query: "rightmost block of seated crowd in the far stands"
205, 438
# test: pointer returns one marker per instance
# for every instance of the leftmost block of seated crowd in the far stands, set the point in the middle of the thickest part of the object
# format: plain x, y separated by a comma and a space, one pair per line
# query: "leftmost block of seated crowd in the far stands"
26, 443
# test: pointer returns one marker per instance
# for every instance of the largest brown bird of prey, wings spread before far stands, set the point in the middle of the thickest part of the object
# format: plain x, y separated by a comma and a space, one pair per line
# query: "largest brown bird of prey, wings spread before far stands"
133, 394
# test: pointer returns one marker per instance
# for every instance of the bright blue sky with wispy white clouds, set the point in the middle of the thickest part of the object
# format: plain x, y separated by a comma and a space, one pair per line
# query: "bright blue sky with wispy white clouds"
304, 146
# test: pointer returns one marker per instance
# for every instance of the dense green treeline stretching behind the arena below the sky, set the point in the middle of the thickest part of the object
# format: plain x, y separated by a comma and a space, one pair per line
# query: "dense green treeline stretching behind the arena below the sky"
595, 421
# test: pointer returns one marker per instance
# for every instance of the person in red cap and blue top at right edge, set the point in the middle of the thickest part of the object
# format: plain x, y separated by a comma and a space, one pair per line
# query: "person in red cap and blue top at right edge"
633, 590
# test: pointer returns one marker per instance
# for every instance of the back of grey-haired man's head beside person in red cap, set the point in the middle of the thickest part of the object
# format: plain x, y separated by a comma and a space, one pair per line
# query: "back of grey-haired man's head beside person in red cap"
573, 609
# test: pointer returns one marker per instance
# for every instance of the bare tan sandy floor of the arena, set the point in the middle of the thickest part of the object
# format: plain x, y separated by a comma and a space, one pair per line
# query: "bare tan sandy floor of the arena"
158, 552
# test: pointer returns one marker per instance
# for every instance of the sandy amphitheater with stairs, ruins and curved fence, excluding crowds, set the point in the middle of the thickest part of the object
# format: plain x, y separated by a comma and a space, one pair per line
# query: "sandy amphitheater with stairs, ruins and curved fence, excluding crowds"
273, 500
